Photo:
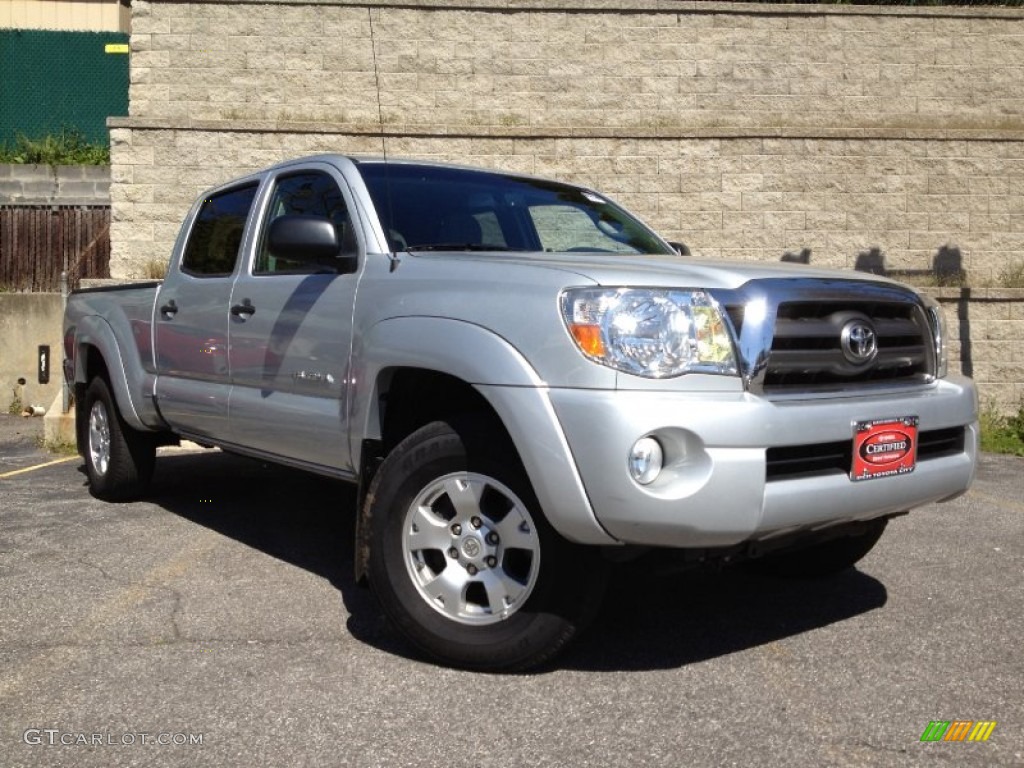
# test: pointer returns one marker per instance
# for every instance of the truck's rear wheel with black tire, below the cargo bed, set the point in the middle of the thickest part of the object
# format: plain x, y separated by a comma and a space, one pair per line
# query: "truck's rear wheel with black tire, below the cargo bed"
119, 460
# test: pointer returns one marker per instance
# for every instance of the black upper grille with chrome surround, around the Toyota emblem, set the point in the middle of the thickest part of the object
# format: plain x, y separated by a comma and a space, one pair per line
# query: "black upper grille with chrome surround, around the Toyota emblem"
807, 351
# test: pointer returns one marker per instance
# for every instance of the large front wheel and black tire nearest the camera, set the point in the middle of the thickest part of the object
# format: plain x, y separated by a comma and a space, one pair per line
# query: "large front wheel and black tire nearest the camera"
535, 593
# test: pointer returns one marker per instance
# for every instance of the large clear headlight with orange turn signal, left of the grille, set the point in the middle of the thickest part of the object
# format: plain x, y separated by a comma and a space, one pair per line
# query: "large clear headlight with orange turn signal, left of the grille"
655, 333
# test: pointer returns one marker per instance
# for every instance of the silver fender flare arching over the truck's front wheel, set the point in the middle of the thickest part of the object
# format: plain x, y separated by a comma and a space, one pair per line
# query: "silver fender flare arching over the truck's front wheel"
418, 370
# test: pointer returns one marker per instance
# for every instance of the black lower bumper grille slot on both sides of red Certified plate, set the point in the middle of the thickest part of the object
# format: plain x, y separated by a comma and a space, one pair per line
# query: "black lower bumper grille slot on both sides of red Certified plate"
789, 462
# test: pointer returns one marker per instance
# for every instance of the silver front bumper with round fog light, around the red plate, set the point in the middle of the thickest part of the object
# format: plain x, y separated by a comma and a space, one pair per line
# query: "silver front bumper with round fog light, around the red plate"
714, 491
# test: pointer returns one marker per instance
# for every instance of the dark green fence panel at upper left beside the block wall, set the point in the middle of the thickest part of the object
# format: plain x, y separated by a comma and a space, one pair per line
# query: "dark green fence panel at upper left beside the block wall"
55, 81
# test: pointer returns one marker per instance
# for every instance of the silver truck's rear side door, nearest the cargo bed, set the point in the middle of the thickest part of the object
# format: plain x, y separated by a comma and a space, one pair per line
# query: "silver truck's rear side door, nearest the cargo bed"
192, 316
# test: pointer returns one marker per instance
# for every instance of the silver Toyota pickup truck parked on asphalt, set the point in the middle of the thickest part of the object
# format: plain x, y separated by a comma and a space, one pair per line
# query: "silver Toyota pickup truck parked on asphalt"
527, 383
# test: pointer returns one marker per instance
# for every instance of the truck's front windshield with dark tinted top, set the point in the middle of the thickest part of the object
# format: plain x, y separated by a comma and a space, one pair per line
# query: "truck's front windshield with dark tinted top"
430, 208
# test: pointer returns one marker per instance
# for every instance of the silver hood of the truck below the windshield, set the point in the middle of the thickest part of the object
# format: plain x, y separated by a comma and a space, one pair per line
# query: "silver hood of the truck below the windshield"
664, 272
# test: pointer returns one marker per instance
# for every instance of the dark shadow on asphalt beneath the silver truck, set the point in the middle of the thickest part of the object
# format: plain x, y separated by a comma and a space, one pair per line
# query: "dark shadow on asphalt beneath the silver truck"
655, 617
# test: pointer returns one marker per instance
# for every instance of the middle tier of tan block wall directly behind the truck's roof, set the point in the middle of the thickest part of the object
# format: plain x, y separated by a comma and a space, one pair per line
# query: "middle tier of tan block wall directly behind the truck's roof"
729, 198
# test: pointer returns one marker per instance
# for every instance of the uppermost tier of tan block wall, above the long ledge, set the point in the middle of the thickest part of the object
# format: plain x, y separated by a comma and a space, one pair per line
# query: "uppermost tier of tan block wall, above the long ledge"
633, 65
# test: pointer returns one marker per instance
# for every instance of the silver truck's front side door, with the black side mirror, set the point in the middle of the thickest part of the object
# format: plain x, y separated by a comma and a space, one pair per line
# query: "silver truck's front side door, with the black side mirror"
291, 331
